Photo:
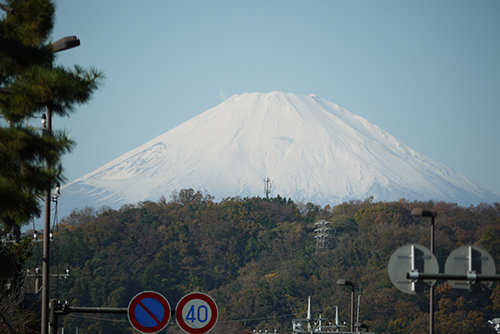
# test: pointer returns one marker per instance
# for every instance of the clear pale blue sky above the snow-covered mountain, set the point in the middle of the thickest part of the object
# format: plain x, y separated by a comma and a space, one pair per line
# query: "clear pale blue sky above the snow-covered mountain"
428, 72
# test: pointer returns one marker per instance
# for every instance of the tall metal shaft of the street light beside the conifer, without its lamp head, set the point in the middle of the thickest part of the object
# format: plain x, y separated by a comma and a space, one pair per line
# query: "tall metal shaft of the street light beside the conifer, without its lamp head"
46, 243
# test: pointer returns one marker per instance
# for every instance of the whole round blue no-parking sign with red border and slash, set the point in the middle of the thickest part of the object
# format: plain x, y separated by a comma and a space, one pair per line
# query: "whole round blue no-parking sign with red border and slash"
149, 312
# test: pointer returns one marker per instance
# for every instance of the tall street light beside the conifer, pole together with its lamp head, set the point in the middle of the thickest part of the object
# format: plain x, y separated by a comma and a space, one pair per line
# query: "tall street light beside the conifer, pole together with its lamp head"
60, 45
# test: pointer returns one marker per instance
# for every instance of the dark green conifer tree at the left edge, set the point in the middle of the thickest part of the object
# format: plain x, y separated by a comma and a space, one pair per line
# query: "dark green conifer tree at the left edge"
30, 83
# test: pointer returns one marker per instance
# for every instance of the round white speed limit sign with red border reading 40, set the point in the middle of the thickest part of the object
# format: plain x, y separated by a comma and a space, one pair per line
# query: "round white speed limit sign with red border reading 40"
196, 313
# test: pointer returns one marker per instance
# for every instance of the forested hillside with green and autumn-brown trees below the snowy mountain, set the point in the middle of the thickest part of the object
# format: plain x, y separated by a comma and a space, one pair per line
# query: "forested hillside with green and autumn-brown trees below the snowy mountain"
257, 258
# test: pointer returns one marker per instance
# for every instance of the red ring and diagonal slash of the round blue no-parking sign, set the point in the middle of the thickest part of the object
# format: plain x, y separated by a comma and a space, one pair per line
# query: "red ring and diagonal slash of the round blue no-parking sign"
137, 302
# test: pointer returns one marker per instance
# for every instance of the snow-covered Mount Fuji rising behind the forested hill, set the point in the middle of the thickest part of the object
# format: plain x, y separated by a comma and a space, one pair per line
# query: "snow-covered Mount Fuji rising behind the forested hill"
312, 150
